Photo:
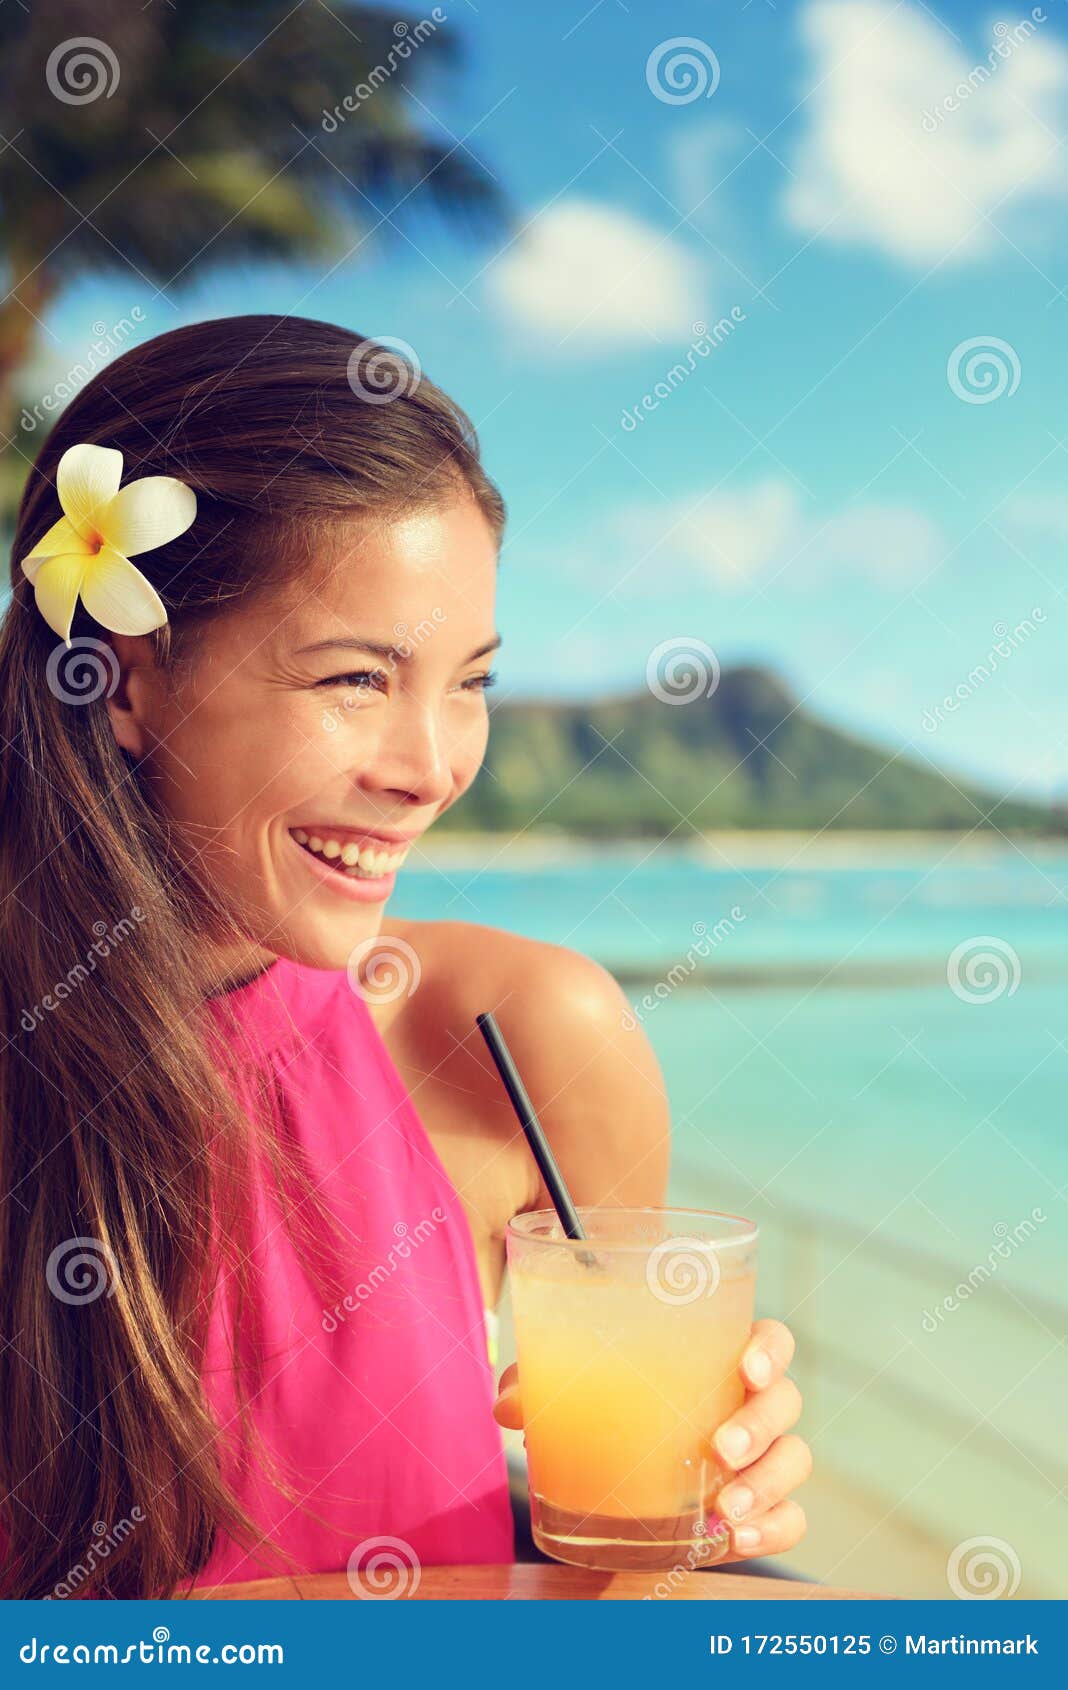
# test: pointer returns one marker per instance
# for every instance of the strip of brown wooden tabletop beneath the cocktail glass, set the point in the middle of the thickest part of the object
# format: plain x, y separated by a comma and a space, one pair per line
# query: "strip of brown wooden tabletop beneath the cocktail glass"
535, 1581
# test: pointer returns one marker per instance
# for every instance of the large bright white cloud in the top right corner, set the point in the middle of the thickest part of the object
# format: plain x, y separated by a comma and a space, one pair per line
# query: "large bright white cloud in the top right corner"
908, 138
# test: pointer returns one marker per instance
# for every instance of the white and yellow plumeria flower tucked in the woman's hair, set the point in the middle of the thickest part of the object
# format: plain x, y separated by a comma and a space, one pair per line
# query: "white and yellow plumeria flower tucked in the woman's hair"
102, 526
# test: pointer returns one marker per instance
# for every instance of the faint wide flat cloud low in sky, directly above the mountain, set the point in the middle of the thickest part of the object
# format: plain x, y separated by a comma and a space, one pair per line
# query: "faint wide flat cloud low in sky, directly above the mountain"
739, 538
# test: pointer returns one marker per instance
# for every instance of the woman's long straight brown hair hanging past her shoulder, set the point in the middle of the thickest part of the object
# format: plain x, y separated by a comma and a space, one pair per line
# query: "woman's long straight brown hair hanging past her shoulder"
123, 1137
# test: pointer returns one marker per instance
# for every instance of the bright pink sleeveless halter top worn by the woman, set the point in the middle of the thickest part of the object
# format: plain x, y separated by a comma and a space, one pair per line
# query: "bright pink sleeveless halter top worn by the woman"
378, 1409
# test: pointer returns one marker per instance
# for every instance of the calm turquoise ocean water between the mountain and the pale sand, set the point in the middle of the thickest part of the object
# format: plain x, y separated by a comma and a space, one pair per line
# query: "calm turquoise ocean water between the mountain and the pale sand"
817, 1050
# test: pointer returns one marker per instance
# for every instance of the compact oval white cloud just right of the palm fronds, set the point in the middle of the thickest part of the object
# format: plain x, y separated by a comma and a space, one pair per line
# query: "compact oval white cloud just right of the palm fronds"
589, 276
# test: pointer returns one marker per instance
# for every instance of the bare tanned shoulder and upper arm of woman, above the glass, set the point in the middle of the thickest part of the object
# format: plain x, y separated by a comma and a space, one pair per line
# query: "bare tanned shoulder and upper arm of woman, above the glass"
586, 1060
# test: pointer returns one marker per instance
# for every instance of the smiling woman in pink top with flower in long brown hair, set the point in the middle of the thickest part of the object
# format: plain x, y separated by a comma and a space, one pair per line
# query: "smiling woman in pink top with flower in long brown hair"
254, 1206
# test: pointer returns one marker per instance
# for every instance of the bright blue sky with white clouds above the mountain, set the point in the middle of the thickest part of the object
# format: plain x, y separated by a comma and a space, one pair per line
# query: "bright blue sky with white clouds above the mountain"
817, 494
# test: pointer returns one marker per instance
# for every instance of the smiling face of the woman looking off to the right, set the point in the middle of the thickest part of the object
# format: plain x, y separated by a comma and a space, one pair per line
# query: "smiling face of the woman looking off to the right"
317, 741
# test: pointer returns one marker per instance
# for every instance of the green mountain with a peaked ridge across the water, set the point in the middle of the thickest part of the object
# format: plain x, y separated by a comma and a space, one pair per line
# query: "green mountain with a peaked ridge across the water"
744, 758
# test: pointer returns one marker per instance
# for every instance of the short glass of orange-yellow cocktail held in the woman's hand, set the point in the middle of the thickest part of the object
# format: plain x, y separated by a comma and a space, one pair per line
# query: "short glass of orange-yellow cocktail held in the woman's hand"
629, 1355
